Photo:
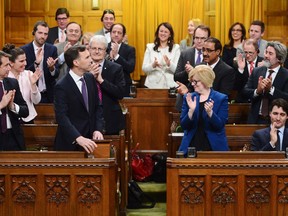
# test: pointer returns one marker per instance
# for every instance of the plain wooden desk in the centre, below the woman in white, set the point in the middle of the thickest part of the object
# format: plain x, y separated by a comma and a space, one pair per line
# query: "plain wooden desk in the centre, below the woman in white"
149, 113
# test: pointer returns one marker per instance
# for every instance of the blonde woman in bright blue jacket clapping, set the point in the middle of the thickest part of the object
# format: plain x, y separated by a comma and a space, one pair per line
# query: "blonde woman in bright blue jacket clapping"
204, 114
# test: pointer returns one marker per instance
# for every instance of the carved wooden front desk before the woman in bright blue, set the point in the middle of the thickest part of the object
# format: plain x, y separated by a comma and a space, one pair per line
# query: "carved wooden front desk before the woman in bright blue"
211, 186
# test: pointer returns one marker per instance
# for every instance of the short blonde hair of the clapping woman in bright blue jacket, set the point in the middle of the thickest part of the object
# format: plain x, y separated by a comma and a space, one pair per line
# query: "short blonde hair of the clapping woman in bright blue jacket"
205, 74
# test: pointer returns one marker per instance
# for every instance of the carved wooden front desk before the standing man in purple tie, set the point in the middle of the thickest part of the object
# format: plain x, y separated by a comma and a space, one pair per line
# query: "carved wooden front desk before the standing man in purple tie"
56, 183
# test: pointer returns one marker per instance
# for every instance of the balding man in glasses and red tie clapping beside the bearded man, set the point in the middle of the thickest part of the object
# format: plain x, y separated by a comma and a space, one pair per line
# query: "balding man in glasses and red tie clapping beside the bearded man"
246, 63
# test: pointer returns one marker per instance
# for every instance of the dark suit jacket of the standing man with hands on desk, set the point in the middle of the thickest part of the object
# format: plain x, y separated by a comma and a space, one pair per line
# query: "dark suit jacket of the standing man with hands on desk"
71, 114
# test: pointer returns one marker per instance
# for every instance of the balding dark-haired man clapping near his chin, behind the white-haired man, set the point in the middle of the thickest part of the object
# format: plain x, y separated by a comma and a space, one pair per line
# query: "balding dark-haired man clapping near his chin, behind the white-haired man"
122, 54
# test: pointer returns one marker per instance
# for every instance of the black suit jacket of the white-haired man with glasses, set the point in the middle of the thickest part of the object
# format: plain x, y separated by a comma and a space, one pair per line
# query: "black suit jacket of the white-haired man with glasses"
112, 91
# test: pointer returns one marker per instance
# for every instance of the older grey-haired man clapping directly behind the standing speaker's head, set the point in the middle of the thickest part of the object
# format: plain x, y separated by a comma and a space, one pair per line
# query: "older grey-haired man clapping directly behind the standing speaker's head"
74, 33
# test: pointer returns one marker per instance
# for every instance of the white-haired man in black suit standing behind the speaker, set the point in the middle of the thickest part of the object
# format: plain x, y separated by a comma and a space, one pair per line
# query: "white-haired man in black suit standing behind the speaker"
110, 77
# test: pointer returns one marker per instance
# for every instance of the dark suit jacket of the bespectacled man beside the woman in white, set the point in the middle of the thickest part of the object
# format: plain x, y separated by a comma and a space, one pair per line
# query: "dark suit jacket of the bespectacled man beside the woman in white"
180, 73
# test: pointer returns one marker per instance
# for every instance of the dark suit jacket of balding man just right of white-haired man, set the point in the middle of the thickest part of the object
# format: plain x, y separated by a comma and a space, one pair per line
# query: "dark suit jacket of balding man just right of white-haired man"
127, 58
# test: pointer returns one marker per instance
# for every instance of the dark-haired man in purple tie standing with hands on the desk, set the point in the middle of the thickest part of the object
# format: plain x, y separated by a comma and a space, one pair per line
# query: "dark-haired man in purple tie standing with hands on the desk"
77, 106
